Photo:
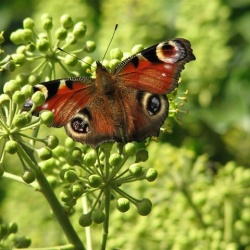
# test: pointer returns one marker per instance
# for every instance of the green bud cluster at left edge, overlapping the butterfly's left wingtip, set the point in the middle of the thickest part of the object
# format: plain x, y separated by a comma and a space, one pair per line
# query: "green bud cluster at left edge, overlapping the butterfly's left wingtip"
15, 119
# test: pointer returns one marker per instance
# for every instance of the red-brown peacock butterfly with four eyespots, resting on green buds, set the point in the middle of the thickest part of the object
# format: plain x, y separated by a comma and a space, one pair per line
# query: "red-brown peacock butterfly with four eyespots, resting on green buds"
128, 104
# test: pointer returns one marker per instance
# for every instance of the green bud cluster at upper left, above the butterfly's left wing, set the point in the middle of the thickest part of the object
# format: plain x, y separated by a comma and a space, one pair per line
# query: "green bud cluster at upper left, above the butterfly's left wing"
43, 46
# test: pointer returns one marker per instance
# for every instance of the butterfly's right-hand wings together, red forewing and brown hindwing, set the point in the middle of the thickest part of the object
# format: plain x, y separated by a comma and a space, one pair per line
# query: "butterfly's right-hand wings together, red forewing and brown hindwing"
150, 75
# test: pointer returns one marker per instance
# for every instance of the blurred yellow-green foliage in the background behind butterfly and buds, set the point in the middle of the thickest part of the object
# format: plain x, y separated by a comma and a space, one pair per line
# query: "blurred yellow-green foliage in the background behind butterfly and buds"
201, 198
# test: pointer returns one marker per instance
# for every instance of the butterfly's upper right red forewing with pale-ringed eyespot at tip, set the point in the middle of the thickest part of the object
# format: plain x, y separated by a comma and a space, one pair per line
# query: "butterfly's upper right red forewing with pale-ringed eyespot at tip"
156, 69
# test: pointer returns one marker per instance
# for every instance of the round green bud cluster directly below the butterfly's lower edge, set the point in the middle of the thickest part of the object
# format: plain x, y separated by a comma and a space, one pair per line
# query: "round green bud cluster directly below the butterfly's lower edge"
95, 173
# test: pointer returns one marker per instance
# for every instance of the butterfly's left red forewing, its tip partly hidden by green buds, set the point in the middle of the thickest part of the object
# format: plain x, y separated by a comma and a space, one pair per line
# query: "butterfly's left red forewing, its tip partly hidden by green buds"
66, 97
